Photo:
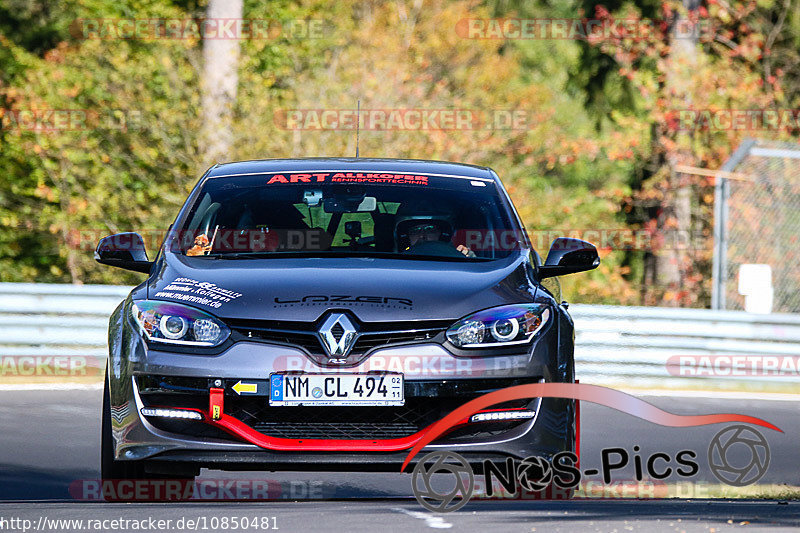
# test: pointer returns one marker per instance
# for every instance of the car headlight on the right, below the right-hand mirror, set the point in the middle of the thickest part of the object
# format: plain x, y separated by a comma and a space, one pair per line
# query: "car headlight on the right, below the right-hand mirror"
499, 326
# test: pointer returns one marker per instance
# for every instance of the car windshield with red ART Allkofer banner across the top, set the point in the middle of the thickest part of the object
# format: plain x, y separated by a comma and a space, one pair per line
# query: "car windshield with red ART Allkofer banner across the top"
354, 214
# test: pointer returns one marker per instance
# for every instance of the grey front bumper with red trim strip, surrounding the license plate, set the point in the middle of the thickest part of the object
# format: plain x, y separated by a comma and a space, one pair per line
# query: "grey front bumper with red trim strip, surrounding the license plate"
433, 378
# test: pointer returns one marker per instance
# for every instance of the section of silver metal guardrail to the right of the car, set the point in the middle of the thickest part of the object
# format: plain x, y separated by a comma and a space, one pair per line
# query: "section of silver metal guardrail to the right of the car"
638, 345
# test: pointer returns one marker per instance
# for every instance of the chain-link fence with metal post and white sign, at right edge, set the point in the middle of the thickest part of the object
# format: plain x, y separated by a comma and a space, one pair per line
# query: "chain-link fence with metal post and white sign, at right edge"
757, 229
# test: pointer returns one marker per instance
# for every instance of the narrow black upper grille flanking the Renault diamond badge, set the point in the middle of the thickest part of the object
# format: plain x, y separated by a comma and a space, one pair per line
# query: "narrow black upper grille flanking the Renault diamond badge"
370, 337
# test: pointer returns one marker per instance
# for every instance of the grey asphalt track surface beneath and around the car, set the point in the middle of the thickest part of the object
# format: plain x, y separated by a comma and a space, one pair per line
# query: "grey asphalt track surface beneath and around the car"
50, 439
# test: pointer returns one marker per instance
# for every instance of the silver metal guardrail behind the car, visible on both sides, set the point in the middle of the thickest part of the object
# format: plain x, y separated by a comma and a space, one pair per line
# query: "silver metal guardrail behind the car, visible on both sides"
614, 345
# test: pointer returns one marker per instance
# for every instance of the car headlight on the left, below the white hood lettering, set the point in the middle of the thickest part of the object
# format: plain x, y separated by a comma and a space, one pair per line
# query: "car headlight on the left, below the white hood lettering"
178, 324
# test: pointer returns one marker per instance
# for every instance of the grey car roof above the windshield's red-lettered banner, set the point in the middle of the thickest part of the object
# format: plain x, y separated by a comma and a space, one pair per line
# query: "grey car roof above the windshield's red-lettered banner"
309, 164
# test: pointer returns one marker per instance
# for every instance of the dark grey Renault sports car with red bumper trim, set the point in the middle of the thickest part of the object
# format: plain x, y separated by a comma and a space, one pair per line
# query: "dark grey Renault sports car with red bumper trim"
323, 313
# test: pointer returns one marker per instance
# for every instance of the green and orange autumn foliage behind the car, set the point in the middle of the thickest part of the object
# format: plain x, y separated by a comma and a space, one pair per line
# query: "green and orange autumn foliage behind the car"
598, 144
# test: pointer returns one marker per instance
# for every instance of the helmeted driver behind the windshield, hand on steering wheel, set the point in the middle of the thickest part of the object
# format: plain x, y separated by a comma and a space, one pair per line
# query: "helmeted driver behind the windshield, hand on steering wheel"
425, 225
